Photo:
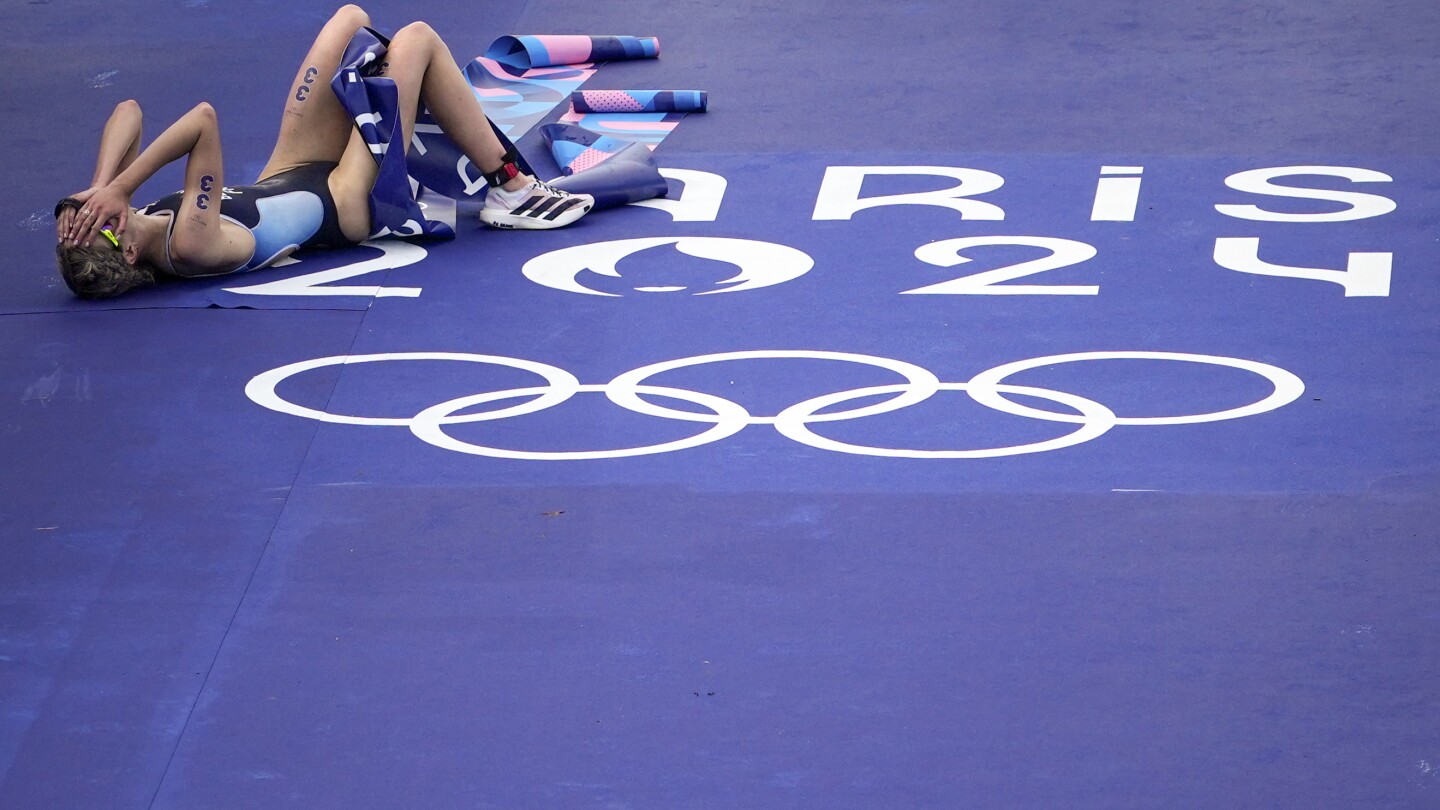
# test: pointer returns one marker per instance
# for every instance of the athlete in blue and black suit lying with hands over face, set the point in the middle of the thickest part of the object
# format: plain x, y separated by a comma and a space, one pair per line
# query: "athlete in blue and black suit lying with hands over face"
315, 192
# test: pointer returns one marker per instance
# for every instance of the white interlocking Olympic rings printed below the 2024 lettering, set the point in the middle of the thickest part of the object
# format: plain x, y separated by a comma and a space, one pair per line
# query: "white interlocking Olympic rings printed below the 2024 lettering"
728, 419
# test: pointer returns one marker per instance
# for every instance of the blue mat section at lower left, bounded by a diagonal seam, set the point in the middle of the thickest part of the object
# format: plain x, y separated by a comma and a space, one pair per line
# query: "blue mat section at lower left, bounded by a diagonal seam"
136, 518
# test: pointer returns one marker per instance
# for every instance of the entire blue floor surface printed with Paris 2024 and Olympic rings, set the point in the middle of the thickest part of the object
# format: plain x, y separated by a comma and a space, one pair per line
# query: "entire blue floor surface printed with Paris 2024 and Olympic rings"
217, 590
